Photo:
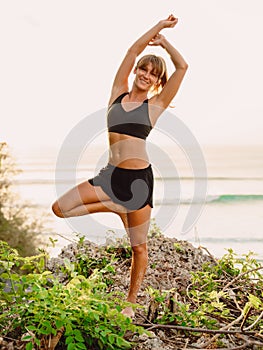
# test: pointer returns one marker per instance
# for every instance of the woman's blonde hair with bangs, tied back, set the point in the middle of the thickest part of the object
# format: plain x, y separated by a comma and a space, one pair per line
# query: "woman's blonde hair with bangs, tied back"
159, 68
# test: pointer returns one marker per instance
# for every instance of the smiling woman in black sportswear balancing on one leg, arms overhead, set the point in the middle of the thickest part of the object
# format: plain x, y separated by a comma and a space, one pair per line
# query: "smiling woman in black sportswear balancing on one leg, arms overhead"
125, 185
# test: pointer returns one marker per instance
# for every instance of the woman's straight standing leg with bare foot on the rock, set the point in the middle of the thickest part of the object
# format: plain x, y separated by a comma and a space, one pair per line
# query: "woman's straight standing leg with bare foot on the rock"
138, 222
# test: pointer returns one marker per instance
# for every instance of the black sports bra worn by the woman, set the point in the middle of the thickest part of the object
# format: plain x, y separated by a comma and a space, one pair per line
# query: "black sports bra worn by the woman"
134, 123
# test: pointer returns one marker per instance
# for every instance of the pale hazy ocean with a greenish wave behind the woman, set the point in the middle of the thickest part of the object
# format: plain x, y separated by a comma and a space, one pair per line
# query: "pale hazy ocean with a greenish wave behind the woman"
225, 200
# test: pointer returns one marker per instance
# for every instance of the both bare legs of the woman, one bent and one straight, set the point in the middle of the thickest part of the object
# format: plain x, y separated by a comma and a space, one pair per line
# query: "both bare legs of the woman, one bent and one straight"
85, 199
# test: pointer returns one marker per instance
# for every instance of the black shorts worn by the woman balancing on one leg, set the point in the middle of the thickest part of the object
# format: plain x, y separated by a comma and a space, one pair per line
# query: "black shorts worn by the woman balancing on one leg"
132, 188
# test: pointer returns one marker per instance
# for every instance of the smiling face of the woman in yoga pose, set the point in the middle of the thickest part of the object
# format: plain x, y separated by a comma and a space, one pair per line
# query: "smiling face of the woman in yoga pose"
146, 77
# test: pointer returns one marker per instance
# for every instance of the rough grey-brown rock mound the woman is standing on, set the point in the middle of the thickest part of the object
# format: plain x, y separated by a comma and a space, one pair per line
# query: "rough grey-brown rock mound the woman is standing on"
170, 263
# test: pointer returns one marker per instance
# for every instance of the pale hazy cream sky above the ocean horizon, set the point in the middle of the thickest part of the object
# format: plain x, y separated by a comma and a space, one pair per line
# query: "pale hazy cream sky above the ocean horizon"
58, 60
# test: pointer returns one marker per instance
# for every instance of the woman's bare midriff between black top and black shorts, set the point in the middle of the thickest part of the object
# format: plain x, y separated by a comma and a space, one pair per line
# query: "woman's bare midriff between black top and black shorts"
127, 152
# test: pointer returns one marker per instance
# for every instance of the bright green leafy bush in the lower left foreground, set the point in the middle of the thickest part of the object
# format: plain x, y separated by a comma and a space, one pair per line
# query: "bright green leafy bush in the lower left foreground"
39, 306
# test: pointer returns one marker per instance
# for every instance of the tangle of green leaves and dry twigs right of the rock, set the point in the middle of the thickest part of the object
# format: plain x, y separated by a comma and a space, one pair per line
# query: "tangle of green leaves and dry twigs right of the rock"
219, 293
